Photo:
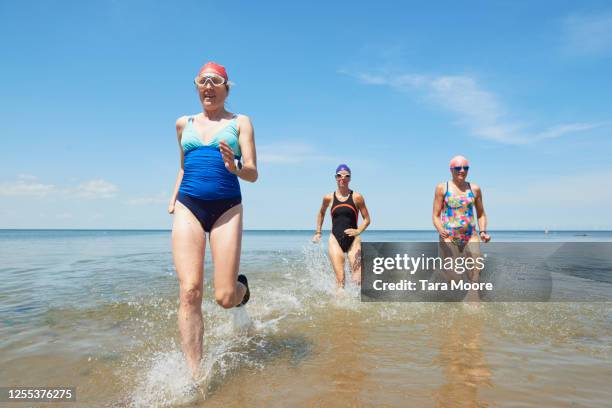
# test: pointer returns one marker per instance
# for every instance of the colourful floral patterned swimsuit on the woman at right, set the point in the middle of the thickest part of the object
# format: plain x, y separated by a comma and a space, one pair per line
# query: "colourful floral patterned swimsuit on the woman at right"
458, 215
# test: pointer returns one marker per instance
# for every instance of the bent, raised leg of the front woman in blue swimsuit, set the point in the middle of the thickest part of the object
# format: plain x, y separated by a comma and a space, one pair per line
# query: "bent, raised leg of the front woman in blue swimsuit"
225, 245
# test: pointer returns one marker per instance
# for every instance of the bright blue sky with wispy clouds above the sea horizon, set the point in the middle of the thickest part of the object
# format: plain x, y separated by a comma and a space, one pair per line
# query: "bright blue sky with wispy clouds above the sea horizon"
91, 91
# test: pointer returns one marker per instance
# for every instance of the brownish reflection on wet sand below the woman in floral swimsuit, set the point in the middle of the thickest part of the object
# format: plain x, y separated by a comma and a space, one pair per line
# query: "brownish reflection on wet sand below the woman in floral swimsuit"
463, 361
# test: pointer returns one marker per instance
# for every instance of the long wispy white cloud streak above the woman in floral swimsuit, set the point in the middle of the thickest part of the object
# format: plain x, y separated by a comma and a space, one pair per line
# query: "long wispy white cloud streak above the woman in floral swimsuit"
476, 108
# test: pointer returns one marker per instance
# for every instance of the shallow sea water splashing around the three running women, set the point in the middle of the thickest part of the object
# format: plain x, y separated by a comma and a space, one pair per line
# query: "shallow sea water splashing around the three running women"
97, 310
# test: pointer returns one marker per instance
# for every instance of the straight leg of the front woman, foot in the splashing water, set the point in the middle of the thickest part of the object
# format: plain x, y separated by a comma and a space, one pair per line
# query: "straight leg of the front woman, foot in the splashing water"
188, 245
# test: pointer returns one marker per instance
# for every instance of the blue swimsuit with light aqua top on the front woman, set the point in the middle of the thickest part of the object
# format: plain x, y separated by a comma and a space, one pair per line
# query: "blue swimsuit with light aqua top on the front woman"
208, 189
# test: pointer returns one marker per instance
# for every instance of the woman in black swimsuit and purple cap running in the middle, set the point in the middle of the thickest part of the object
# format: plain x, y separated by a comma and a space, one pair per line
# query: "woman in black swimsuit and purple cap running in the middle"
346, 205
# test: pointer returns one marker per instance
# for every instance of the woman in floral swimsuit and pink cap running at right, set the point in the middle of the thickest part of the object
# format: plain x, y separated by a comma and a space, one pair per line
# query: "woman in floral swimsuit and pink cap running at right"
457, 204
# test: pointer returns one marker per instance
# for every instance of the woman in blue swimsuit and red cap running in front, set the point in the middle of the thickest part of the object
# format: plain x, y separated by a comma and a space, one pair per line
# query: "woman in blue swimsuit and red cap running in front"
207, 198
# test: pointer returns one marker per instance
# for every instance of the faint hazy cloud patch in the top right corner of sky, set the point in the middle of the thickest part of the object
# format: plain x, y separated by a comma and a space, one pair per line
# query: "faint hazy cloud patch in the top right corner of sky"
588, 34
